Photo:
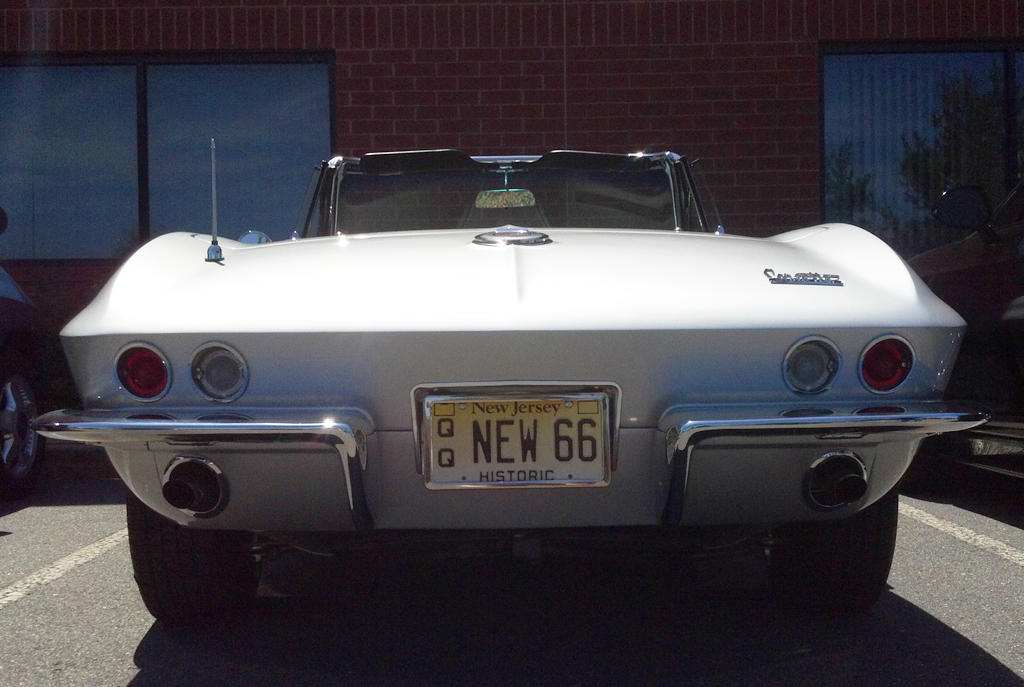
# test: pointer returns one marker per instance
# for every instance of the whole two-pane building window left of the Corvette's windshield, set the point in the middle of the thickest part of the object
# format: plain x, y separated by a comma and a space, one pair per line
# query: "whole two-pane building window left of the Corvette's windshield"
97, 159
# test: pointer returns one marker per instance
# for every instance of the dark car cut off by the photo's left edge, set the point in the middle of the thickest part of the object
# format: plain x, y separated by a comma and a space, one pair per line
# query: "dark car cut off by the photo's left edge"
21, 336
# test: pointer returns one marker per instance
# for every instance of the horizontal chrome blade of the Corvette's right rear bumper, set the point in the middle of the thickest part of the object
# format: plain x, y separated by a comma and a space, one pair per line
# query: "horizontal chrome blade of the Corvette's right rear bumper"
915, 419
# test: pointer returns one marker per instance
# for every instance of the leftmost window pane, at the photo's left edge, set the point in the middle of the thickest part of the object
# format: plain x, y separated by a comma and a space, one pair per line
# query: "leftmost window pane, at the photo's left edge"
68, 162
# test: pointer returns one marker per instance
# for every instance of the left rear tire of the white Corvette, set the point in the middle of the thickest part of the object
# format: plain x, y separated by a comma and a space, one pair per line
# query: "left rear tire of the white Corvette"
191, 577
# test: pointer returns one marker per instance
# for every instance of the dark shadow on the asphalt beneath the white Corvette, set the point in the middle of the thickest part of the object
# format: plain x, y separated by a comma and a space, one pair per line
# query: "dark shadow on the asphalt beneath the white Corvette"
603, 621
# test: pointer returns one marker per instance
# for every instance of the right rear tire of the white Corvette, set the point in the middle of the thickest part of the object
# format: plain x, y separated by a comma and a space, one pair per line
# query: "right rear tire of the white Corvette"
840, 566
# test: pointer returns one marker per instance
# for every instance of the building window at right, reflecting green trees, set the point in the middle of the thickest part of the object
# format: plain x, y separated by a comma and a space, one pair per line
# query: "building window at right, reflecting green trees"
903, 127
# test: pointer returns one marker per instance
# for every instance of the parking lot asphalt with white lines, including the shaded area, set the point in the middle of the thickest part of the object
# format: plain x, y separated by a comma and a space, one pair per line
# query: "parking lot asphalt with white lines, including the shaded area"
70, 614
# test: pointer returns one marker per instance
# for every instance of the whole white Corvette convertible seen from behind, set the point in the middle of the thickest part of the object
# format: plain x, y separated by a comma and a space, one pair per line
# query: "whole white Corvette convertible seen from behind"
546, 347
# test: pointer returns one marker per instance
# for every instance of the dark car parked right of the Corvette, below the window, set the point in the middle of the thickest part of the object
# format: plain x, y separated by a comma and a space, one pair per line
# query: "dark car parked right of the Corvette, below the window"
983, 278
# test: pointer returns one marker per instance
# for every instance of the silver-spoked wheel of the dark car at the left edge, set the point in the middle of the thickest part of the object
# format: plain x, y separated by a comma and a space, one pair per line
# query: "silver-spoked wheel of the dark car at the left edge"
21, 447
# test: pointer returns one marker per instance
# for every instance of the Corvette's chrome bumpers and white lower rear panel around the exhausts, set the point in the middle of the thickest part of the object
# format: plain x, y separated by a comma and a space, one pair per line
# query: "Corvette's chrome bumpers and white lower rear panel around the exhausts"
317, 470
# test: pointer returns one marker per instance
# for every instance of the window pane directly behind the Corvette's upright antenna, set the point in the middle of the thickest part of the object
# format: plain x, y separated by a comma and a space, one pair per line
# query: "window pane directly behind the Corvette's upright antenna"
272, 124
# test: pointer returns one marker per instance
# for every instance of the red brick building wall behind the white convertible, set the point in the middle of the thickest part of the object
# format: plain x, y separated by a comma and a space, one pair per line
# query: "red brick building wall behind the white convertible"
735, 82
